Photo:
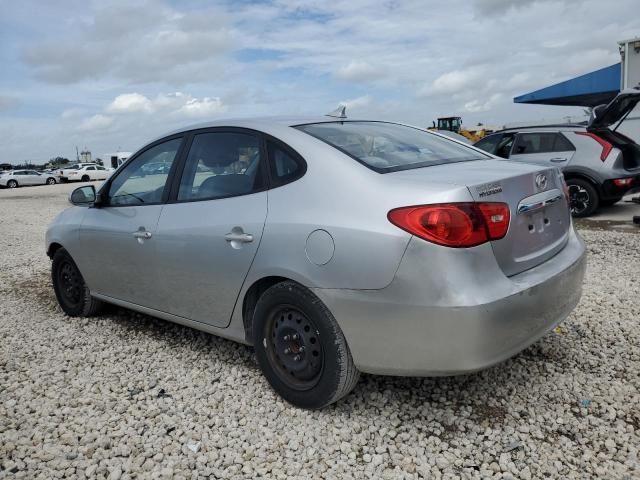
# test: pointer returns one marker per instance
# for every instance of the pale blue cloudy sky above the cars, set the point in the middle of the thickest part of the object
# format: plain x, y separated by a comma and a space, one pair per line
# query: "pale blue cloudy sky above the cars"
112, 75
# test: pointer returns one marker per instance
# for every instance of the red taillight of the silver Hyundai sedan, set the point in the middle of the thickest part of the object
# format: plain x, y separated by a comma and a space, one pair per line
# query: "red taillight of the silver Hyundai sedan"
457, 225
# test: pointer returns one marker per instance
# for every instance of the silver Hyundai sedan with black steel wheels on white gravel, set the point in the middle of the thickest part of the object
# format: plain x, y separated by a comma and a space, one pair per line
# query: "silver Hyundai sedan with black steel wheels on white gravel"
333, 246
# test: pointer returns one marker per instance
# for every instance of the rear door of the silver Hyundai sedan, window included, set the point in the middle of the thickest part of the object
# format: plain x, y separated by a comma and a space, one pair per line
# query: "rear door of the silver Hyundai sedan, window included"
208, 236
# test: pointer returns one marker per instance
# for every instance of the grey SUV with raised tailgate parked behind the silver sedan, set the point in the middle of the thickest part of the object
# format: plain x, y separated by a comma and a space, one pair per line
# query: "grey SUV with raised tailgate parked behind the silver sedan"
600, 165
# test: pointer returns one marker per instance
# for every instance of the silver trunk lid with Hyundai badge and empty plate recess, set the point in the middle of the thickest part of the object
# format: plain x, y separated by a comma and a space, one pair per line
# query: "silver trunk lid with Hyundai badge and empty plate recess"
540, 218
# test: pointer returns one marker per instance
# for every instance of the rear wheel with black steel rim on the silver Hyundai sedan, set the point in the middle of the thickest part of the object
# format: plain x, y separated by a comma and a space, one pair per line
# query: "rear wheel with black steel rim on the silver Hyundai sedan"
324, 372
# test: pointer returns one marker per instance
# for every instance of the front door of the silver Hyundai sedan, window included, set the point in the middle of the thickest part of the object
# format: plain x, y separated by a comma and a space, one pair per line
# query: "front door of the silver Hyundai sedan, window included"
118, 252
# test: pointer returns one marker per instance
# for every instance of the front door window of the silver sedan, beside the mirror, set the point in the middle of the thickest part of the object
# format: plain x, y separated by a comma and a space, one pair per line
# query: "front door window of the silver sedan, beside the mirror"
134, 185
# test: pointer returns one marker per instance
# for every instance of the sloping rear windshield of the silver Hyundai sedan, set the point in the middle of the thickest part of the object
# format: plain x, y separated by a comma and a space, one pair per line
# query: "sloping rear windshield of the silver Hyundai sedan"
389, 147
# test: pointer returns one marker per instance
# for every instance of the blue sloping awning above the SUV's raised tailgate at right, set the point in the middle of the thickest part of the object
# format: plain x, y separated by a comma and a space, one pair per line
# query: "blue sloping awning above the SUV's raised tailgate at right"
587, 90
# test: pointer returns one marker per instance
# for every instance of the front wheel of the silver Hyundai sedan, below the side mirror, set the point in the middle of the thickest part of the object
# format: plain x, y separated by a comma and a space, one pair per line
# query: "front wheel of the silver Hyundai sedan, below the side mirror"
71, 291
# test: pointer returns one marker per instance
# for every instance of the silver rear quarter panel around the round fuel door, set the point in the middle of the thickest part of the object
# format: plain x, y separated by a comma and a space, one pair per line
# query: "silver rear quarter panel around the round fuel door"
350, 202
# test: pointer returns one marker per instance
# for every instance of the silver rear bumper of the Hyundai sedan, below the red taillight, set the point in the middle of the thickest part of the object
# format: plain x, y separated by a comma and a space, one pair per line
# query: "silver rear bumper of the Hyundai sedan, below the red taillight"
468, 324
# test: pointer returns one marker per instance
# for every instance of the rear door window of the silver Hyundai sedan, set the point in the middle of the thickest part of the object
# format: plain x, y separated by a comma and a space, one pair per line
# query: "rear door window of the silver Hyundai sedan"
221, 164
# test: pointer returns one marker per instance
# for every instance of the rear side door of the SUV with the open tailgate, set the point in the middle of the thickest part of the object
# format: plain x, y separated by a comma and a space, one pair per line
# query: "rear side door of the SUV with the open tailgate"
542, 148
